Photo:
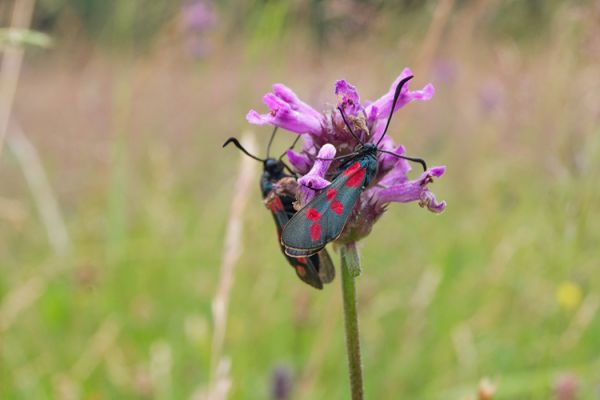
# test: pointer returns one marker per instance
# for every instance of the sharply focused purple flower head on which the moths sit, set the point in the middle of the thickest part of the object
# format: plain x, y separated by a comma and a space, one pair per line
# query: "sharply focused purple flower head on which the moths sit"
326, 135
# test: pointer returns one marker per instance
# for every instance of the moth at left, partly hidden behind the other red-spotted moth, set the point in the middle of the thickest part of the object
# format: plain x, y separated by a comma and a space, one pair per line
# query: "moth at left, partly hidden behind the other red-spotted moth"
315, 269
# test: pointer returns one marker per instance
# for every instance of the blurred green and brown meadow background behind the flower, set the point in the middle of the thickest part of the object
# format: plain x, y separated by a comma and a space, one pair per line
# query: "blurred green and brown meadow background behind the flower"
115, 197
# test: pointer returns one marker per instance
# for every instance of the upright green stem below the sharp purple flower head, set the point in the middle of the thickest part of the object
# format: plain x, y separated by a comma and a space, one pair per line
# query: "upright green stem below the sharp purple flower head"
350, 269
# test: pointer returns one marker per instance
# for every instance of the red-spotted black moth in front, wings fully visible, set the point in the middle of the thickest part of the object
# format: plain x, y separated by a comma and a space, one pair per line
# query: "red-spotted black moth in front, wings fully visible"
322, 220
